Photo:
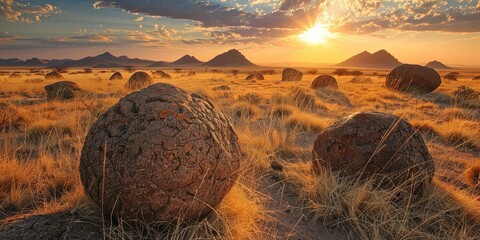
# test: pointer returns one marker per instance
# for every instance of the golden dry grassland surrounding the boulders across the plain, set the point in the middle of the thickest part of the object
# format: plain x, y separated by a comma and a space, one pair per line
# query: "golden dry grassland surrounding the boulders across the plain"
277, 123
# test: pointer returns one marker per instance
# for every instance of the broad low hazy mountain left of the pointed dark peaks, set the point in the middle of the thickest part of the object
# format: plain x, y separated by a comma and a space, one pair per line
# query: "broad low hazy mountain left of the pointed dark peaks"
107, 60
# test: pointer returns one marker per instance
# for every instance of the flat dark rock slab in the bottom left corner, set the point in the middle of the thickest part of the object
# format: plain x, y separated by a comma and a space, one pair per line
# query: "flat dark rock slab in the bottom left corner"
48, 227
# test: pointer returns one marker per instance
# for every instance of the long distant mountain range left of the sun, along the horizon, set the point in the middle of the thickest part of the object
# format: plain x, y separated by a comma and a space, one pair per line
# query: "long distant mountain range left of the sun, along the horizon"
232, 58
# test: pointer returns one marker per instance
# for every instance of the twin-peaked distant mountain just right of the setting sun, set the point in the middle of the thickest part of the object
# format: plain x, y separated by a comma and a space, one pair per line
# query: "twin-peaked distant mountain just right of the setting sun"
380, 59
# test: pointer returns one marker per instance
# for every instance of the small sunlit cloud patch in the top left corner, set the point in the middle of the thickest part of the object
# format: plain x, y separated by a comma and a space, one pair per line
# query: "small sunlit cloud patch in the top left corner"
13, 11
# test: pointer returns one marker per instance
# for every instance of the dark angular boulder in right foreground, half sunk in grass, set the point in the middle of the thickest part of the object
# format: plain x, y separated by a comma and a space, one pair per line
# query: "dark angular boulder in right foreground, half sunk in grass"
378, 145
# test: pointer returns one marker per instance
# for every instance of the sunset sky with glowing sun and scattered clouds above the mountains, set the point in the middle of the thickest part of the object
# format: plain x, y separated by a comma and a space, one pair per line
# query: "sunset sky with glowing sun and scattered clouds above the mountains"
266, 31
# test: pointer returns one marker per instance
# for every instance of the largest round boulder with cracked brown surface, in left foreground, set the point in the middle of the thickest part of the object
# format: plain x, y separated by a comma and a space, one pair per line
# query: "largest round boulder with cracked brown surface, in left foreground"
160, 154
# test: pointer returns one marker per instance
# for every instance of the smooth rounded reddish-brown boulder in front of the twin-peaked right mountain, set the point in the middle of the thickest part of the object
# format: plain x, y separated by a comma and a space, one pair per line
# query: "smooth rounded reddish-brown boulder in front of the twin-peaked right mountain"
413, 78
